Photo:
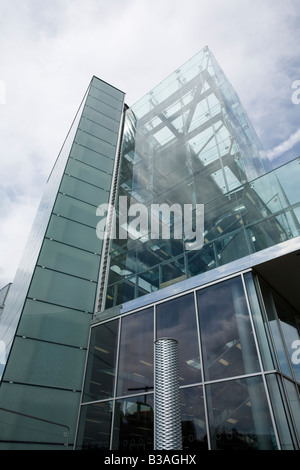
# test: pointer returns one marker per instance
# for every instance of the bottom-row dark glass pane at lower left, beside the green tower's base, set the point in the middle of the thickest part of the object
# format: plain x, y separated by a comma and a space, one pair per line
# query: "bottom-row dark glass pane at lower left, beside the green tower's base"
94, 427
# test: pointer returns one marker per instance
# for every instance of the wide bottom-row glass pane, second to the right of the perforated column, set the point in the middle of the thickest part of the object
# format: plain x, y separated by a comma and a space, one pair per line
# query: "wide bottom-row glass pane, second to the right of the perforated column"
239, 416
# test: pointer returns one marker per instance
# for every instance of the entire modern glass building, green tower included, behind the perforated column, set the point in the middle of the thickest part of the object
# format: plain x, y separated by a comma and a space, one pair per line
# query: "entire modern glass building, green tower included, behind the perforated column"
82, 316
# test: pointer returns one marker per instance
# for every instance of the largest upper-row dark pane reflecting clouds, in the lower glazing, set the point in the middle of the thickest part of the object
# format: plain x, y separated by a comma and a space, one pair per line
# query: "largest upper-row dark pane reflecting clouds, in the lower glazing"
226, 331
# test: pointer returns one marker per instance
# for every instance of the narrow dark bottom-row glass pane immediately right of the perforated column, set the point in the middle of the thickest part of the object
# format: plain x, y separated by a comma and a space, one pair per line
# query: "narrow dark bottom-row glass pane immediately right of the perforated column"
194, 432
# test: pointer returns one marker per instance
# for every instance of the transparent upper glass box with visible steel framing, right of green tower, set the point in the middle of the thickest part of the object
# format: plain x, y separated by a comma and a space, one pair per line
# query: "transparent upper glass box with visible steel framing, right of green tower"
188, 142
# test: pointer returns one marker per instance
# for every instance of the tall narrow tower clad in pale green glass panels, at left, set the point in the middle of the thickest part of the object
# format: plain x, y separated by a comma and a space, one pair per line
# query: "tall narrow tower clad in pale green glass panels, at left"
46, 323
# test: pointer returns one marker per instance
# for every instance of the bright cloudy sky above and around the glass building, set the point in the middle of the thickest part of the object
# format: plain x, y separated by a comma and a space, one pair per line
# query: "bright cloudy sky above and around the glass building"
49, 51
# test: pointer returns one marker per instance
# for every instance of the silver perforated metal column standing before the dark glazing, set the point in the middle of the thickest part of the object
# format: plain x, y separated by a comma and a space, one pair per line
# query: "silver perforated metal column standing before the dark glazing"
167, 421
